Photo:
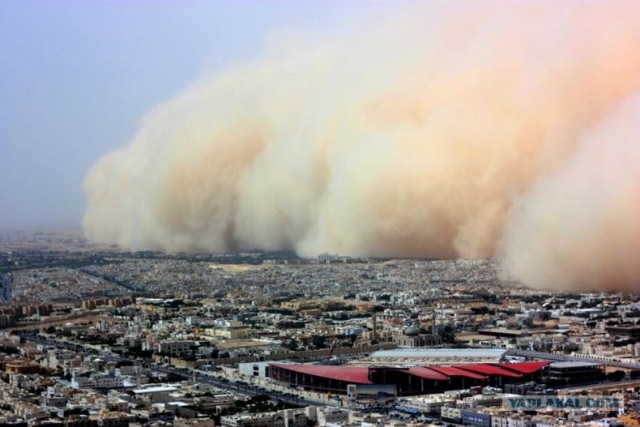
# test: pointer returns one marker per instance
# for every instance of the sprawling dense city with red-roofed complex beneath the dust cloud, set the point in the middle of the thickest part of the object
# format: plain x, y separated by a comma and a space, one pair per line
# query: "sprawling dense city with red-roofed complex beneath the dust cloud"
93, 336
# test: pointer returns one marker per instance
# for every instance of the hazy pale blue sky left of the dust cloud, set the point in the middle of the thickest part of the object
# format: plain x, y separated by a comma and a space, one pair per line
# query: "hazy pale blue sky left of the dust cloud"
77, 77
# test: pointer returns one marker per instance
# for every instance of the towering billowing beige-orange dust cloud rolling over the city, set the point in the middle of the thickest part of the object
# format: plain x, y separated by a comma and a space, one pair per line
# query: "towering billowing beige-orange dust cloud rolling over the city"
487, 130
